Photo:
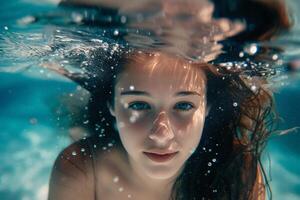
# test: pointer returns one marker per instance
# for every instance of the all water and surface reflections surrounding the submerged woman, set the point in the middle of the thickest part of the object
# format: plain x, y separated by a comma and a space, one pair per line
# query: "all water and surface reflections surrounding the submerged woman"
47, 54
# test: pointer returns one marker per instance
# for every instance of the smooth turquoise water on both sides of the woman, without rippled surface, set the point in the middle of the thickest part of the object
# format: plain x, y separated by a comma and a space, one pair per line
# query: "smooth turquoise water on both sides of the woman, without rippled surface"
31, 136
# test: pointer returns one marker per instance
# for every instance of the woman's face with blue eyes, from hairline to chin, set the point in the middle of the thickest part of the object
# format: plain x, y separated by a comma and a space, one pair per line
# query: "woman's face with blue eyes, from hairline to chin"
160, 107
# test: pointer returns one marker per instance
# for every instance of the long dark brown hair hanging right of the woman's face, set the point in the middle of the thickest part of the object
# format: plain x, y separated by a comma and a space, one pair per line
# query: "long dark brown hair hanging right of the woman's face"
226, 163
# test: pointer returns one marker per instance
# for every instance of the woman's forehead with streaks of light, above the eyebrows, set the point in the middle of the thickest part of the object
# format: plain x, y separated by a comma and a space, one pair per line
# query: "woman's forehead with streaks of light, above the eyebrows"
161, 72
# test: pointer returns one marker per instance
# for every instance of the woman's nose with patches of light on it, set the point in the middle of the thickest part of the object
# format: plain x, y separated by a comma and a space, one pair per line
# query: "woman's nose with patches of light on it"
161, 131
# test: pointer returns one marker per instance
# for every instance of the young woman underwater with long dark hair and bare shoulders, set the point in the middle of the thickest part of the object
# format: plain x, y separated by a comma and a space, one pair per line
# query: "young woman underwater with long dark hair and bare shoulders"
166, 128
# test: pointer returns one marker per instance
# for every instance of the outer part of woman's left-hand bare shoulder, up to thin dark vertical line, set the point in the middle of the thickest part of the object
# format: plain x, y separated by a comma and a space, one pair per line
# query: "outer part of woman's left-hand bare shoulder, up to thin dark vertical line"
72, 173
